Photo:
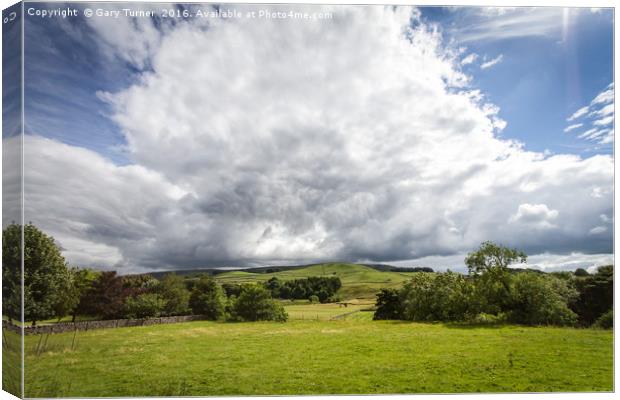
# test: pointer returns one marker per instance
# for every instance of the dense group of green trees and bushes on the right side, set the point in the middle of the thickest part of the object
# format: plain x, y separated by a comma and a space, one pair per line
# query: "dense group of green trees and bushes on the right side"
493, 292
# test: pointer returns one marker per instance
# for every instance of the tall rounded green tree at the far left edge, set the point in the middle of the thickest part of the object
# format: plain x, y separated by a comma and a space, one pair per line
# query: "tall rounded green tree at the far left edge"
45, 273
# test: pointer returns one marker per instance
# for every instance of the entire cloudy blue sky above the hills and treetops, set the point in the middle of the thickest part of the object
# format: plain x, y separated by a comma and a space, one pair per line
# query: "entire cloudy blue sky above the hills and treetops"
400, 135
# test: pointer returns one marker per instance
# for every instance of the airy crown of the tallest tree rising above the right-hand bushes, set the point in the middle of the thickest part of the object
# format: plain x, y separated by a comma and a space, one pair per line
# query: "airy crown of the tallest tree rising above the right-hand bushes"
491, 256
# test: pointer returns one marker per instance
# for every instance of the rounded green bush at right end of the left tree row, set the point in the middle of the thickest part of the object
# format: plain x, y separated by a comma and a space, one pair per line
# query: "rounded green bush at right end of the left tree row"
255, 304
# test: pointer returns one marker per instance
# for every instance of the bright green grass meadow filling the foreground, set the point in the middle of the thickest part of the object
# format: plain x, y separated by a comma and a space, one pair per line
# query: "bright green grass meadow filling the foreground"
349, 356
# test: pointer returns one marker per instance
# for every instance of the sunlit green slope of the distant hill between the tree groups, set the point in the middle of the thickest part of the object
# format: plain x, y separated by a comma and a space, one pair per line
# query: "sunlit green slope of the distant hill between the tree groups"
358, 281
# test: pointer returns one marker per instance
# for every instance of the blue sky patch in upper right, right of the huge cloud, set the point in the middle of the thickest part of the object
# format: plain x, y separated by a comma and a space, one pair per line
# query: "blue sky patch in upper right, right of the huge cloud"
550, 67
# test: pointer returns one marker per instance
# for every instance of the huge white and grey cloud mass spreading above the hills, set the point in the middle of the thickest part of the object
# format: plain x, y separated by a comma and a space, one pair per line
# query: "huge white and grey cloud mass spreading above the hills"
279, 141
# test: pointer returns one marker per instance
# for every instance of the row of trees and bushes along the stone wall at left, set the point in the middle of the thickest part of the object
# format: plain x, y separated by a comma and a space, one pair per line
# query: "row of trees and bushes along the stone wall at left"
54, 290
